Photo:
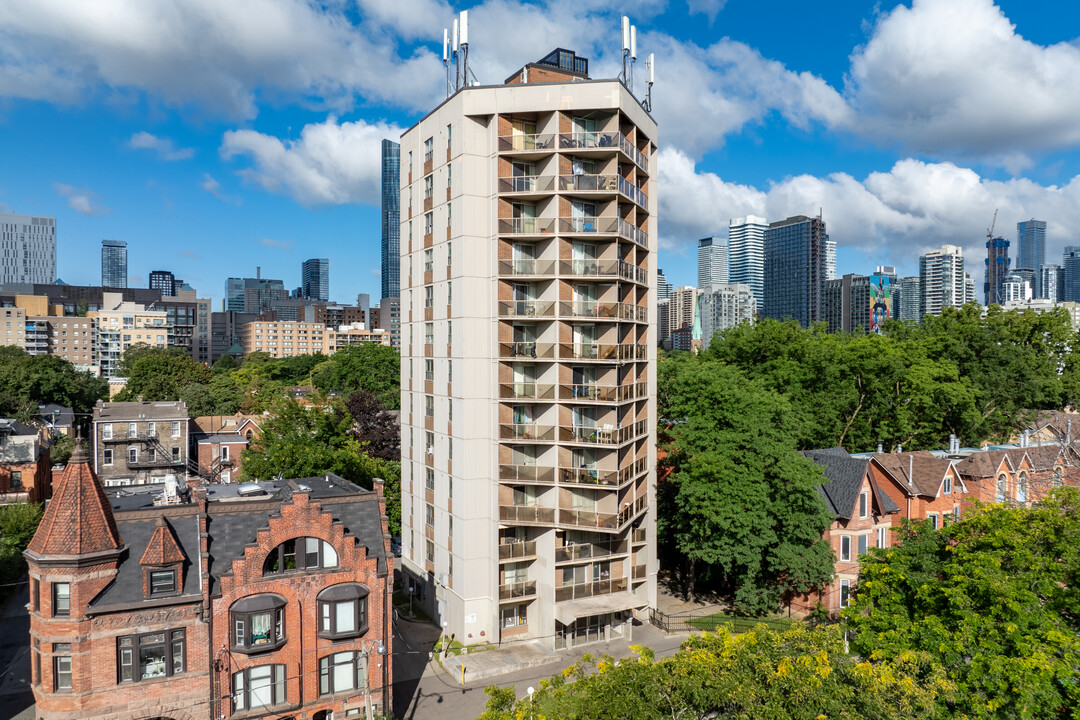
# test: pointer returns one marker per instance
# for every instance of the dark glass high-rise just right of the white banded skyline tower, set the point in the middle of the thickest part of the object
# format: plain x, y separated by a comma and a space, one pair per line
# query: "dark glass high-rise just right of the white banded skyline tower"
798, 257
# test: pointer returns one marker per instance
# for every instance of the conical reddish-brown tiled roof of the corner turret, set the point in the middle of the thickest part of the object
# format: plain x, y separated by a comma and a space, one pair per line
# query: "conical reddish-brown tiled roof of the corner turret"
78, 521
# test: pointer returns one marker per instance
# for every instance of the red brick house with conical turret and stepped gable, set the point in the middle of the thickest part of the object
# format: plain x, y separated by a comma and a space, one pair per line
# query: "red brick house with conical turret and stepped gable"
241, 602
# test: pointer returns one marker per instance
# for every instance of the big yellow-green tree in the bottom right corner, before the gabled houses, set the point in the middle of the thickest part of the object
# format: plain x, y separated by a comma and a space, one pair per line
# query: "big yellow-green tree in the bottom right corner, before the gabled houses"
993, 600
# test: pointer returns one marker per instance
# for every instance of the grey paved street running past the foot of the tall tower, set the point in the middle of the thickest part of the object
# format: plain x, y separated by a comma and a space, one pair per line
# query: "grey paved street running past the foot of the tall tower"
425, 690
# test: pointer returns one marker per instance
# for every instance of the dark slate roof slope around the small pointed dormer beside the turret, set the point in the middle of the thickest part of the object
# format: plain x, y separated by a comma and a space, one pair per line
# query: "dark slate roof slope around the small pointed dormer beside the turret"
127, 588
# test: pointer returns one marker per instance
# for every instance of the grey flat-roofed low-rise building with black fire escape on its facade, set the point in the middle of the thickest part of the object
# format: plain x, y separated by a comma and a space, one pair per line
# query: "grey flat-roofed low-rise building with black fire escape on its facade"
140, 443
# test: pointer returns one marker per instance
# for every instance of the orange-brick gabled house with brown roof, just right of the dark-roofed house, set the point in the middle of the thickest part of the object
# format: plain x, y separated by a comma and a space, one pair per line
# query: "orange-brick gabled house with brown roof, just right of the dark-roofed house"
922, 485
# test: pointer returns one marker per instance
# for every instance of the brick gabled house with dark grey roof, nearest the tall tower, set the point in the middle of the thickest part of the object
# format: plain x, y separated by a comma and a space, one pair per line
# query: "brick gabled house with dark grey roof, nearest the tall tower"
863, 517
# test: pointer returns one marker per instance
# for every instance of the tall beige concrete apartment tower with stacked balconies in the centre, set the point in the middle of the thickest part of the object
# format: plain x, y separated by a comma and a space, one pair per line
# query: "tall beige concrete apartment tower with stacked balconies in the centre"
529, 453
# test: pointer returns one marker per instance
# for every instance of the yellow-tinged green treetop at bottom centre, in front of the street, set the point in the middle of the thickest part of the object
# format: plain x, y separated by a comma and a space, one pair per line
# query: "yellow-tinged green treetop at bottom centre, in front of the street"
799, 675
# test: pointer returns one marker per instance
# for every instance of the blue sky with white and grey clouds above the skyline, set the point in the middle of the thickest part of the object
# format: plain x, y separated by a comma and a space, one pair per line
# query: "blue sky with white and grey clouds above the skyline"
219, 137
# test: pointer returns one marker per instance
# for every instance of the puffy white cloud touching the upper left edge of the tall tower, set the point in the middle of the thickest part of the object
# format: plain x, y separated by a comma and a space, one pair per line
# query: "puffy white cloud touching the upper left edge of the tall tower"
331, 164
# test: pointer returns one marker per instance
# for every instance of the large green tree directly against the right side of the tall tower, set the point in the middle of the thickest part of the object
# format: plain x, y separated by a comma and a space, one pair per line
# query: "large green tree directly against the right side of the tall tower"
741, 511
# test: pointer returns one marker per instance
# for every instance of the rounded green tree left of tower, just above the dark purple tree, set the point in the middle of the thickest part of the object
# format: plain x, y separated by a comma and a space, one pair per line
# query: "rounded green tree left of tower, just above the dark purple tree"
367, 366
